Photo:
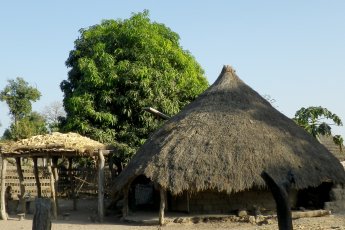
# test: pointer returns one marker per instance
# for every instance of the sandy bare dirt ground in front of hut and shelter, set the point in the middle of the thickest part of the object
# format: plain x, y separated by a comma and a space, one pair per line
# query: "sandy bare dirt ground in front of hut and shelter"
83, 219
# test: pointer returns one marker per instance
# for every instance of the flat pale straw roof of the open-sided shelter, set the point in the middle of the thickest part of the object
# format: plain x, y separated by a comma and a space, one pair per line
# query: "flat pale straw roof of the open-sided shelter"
52, 144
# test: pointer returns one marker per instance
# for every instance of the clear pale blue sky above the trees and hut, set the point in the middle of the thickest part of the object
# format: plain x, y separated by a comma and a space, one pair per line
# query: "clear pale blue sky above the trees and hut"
293, 50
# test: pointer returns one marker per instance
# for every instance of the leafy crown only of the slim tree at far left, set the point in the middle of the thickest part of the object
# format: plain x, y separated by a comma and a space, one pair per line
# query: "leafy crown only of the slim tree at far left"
18, 95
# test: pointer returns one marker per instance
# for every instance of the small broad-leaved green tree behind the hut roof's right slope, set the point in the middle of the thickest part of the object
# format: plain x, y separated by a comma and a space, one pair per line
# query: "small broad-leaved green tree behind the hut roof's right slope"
316, 121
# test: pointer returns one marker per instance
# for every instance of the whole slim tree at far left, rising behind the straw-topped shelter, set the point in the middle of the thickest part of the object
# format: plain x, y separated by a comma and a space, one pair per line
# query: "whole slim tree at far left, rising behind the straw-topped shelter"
19, 95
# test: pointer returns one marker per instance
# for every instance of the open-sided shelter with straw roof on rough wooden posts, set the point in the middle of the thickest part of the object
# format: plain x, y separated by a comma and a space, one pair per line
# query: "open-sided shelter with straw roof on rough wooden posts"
51, 147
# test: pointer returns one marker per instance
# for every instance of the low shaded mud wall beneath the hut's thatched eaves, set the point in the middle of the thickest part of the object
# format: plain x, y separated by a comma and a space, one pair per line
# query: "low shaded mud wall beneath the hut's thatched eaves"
220, 202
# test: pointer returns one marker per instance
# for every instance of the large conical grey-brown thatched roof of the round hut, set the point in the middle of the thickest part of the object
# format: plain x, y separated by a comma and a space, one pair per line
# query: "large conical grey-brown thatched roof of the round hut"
225, 139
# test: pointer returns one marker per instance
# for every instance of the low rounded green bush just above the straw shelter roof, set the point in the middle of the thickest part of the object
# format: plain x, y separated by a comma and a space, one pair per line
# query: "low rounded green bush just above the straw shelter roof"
30, 125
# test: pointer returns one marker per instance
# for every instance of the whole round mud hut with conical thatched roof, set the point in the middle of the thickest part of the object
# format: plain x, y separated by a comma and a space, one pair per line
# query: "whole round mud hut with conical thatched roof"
209, 157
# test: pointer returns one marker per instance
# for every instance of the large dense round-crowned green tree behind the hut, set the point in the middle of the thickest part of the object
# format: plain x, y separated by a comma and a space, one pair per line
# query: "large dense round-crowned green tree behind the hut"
121, 66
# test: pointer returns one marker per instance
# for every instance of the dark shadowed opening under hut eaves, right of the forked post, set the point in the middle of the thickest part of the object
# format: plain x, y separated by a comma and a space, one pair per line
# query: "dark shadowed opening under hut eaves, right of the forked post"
314, 198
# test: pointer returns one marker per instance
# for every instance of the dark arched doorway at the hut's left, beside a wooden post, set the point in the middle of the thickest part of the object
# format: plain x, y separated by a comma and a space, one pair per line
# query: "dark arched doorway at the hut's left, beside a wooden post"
142, 195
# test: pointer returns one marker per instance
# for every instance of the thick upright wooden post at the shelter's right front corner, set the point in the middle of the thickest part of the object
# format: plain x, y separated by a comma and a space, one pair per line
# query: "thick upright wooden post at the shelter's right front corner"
100, 185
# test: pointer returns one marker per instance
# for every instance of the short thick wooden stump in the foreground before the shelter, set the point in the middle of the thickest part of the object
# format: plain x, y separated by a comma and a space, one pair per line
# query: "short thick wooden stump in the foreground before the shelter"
42, 216
